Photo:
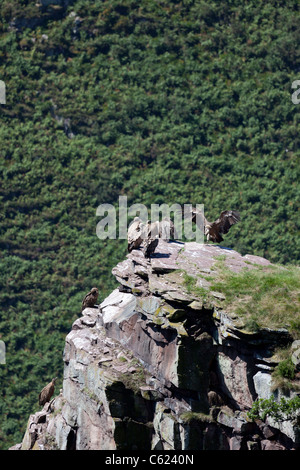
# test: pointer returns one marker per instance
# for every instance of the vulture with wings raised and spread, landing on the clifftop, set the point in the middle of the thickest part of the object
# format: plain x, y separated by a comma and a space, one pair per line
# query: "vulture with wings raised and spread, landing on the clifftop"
215, 230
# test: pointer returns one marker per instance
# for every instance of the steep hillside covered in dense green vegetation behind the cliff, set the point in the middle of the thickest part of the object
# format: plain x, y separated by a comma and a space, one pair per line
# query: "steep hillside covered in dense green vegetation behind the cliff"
161, 101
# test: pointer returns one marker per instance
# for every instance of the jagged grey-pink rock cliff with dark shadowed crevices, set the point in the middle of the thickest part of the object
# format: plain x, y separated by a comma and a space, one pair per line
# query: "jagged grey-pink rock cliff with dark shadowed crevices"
162, 366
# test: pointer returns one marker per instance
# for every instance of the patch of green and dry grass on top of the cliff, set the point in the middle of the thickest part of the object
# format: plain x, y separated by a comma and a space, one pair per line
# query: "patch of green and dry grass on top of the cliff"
266, 297
